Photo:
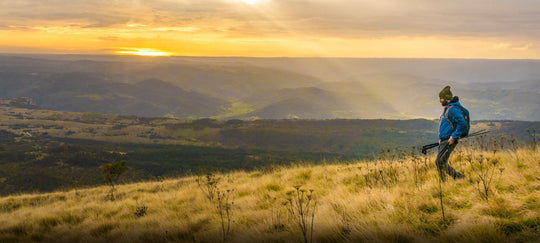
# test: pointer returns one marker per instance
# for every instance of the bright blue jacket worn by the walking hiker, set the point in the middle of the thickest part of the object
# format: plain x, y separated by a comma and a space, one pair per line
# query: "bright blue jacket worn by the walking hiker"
458, 121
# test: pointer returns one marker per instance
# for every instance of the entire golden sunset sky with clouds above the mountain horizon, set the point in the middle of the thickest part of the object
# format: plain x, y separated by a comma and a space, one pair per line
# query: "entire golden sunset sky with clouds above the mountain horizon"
495, 29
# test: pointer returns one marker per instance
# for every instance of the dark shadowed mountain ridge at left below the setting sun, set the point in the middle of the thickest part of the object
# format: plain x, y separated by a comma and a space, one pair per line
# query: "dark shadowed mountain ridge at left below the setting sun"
93, 92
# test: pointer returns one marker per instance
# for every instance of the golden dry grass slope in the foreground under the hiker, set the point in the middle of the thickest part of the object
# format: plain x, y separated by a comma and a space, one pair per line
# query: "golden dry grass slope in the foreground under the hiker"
386, 200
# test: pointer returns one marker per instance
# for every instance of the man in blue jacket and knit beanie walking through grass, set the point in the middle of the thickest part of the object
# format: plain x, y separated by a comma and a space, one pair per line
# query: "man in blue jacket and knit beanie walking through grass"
451, 127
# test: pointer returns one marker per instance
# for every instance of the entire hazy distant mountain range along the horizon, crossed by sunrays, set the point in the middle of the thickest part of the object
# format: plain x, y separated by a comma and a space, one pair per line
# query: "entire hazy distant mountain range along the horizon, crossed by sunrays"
190, 88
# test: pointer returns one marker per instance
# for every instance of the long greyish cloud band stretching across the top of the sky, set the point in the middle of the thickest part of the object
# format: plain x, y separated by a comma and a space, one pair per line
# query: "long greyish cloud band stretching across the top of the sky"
329, 18
